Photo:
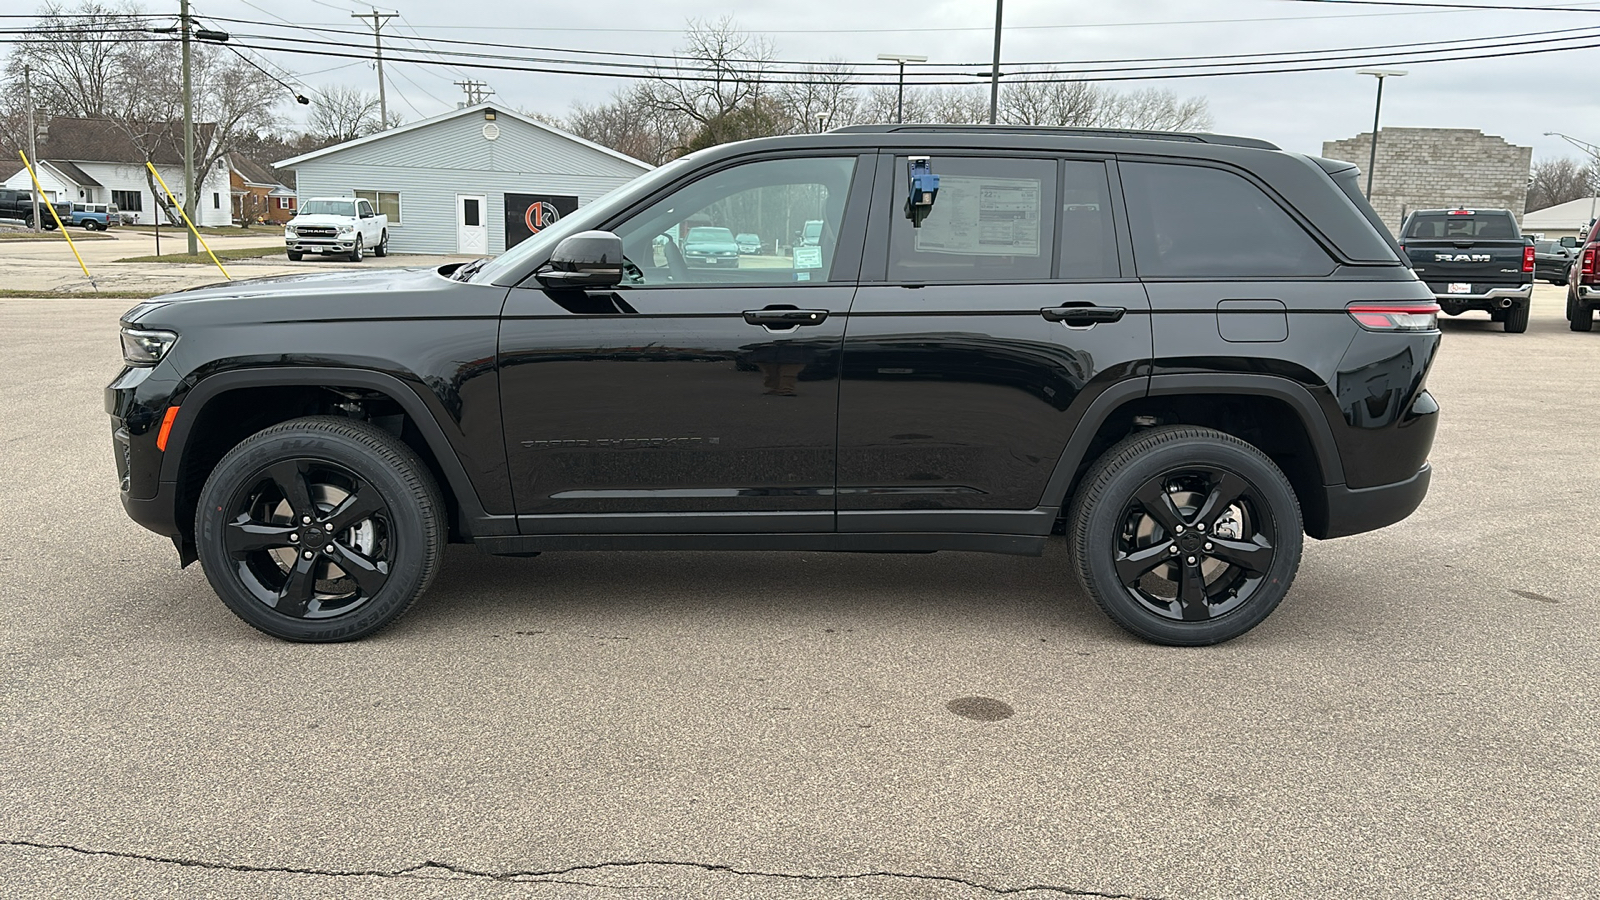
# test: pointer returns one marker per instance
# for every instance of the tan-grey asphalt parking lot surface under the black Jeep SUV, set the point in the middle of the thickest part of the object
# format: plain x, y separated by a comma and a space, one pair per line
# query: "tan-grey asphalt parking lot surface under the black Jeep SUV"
1418, 720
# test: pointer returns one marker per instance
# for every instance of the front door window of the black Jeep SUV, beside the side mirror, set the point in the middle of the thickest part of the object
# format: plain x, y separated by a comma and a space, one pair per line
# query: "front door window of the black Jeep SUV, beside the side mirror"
796, 207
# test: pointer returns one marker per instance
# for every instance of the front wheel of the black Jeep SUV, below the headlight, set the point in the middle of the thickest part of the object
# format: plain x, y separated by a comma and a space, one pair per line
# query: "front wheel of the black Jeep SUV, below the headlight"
321, 529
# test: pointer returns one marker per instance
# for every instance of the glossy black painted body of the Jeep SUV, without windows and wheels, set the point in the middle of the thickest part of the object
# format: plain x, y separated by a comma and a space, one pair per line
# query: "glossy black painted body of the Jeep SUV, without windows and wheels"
910, 417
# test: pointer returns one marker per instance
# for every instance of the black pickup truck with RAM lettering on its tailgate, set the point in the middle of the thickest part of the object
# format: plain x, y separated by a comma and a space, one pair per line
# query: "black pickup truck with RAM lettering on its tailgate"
1473, 260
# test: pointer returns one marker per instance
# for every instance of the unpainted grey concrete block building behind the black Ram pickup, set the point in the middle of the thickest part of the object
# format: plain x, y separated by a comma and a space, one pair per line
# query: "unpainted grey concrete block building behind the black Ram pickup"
1422, 169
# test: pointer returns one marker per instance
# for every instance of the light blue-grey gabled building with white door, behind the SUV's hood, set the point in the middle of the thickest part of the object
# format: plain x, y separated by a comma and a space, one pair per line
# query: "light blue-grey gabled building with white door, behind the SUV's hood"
474, 180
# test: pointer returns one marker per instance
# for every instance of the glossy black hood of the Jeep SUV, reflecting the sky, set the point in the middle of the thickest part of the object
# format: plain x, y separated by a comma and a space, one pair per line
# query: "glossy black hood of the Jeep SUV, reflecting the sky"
313, 297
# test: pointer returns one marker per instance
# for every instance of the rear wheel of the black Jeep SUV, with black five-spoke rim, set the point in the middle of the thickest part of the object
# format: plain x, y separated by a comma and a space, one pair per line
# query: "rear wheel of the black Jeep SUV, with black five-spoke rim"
1186, 536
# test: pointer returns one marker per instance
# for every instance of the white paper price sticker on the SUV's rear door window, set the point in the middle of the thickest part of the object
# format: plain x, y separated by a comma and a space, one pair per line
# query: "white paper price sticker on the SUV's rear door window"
983, 217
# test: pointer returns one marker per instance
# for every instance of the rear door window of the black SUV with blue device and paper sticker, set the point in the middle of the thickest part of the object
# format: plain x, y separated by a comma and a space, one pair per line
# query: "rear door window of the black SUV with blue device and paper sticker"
993, 222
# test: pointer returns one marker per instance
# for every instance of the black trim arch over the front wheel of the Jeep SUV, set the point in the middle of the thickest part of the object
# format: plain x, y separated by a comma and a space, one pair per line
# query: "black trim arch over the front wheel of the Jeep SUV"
225, 409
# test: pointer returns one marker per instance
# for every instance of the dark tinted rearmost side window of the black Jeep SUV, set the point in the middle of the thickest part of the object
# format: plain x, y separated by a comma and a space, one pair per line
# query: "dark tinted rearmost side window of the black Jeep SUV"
1201, 222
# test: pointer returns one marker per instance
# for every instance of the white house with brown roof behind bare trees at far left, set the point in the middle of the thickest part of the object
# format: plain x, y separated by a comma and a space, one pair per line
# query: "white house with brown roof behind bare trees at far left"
92, 161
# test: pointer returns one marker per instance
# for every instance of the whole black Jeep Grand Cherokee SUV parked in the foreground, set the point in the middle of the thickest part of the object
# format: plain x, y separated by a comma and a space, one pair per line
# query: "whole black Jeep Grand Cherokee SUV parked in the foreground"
1185, 352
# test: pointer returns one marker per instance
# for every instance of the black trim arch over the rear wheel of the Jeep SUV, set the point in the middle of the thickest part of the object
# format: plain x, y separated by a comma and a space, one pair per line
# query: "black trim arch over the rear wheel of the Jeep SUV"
1279, 417
